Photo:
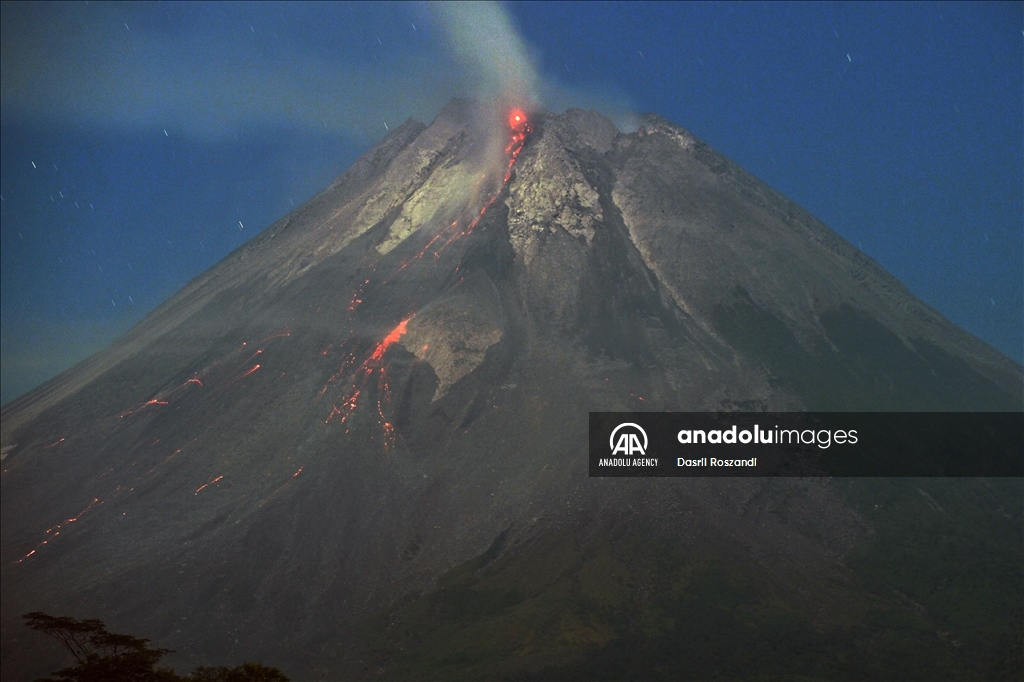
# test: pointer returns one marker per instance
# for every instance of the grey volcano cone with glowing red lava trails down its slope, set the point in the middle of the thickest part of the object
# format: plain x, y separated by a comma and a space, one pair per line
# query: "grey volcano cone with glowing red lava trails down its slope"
358, 447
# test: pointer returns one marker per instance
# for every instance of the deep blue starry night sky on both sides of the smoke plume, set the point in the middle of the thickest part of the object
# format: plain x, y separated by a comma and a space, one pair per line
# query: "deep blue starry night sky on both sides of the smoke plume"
140, 144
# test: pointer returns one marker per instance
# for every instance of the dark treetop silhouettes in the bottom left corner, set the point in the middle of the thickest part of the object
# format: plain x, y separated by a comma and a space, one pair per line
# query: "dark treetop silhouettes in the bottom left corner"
106, 657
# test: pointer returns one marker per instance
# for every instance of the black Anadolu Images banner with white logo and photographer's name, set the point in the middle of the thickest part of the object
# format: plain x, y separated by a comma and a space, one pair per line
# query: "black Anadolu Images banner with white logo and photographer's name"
634, 444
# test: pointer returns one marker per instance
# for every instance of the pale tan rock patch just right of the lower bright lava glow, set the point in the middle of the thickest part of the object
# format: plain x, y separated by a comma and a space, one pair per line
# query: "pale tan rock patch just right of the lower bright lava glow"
453, 336
